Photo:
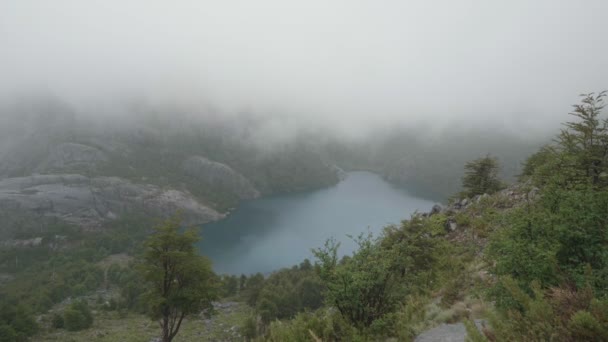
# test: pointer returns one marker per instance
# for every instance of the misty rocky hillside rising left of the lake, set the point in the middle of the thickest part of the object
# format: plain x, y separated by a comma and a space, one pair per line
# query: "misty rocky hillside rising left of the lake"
55, 167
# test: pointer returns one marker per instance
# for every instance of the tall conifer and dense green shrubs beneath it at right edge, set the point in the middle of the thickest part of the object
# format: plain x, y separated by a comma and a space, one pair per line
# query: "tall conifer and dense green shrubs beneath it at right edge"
560, 236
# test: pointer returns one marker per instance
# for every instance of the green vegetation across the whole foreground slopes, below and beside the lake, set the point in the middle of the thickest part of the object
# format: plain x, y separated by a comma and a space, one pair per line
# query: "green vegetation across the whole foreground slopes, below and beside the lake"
530, 259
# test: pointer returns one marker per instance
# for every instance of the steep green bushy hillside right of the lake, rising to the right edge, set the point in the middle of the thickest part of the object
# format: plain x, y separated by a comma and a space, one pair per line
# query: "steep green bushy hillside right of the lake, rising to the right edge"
536, 250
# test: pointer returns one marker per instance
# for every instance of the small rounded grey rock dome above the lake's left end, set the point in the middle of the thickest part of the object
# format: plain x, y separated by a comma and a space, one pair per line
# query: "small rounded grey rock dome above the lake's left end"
219, 176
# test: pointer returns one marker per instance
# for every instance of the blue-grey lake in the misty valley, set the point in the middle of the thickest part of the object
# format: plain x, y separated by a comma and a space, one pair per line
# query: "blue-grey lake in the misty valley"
268, 233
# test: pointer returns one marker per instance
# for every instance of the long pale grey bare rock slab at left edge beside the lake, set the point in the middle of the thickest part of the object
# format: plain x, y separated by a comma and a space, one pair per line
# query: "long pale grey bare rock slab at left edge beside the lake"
87, 202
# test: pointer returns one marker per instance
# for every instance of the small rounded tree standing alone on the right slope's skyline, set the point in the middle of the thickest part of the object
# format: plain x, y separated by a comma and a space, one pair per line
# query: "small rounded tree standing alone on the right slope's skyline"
481, 176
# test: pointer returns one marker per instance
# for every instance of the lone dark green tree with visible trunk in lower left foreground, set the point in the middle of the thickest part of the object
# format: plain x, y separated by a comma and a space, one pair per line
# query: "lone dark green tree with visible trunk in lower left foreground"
179, 281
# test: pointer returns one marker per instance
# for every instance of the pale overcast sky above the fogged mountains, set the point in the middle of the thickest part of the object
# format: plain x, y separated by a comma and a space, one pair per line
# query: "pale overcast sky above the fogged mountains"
365, 61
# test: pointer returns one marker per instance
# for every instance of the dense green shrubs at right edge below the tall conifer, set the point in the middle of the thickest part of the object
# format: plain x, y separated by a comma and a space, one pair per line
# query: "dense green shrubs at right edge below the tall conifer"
555, 239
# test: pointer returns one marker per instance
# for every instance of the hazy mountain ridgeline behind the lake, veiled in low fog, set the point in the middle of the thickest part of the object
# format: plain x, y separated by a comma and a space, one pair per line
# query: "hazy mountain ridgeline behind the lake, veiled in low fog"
149, 142
